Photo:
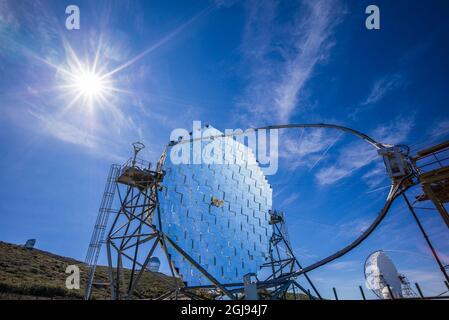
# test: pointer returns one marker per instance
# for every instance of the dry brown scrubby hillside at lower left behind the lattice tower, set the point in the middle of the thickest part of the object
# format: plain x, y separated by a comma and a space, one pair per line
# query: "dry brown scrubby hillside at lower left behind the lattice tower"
37, 274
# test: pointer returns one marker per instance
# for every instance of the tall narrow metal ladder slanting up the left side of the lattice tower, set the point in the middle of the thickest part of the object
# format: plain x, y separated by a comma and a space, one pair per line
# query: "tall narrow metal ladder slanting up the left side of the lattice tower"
93, 252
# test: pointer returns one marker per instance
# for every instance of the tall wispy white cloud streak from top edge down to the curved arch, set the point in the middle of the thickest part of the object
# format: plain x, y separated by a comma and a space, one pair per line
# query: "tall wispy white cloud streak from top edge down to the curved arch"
282, 58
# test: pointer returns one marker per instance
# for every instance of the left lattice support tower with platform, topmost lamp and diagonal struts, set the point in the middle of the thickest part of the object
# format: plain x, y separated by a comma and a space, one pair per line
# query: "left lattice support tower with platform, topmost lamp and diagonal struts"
137, 230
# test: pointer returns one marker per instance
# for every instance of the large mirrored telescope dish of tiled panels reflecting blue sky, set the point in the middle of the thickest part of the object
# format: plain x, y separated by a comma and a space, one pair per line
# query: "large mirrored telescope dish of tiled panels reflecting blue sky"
216, 211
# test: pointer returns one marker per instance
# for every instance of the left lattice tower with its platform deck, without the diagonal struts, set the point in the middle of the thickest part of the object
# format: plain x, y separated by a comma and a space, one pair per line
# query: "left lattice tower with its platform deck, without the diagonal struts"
131, 231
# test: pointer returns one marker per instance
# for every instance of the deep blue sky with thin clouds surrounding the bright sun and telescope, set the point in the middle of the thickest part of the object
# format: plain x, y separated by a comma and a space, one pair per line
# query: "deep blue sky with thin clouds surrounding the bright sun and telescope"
233, 64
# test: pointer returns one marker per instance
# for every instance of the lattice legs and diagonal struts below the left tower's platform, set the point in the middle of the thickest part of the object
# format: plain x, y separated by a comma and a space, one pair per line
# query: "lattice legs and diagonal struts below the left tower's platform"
137, 223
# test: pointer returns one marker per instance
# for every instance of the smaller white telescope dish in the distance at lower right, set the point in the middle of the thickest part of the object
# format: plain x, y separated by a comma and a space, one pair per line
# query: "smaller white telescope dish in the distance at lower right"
380, 273
